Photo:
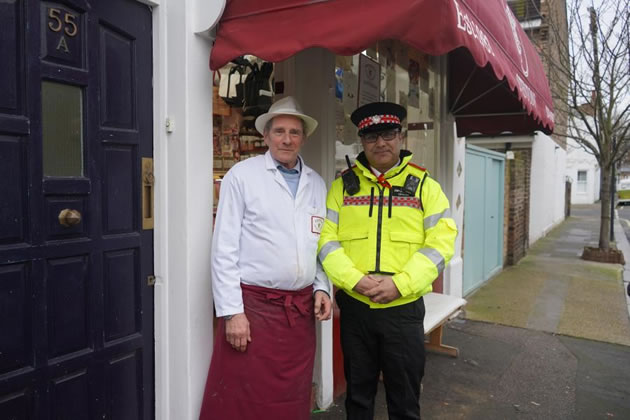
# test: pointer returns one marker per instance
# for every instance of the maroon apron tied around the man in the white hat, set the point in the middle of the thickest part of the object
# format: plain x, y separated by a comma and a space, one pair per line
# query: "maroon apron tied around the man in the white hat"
273, 378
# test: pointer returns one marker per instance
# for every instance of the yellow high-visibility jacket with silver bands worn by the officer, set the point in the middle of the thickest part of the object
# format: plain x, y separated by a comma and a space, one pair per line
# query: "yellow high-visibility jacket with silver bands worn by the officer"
386, 230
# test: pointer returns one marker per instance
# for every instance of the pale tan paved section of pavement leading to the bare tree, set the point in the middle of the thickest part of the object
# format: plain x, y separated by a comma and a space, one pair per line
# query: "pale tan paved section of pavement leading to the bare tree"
553, 290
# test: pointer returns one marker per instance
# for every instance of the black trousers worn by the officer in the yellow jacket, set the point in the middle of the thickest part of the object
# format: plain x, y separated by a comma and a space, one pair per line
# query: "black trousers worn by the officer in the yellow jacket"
390, 340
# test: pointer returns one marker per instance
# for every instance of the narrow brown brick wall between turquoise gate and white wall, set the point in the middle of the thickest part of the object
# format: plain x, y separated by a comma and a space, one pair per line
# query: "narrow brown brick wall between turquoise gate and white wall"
517, 174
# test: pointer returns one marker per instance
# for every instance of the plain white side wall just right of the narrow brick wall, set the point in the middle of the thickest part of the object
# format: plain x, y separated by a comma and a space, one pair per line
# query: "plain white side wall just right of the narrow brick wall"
546, 200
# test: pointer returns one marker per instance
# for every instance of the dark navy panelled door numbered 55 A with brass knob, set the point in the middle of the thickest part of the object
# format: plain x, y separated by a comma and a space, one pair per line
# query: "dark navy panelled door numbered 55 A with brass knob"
76, 311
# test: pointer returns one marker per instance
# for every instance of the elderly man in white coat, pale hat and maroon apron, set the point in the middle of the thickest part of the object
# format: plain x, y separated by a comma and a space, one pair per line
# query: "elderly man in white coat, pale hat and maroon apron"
267, 283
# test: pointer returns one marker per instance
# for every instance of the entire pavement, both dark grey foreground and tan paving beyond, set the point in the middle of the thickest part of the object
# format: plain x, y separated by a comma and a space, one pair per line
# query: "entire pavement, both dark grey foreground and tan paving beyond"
548, 338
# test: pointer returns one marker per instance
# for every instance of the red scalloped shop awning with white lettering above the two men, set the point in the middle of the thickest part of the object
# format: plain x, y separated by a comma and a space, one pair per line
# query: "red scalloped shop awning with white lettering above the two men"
496, 79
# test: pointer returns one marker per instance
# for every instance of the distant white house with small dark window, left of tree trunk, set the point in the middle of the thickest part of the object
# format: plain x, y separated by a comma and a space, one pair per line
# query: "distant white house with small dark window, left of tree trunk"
580, 160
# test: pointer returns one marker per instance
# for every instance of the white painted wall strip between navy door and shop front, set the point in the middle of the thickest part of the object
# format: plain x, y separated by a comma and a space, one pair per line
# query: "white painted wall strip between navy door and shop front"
183, 170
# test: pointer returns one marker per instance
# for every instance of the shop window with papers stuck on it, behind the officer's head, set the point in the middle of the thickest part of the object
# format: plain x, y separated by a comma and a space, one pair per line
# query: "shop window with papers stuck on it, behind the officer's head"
405, 76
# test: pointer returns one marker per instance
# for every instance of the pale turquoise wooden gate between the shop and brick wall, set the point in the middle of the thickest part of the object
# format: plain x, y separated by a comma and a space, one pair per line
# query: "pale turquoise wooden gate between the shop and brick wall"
483, 216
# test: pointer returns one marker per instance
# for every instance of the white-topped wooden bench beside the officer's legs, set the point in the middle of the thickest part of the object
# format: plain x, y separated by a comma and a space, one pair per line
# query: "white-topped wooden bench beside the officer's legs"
440, 308
